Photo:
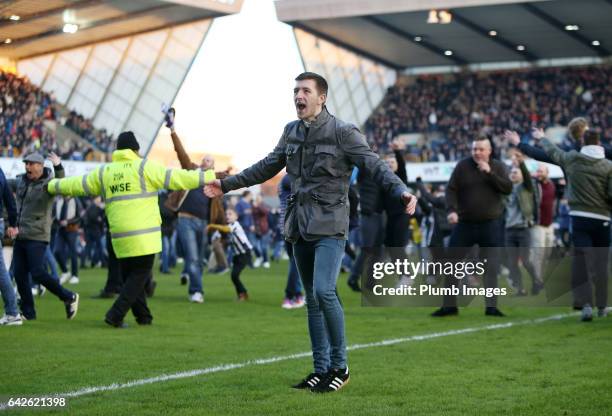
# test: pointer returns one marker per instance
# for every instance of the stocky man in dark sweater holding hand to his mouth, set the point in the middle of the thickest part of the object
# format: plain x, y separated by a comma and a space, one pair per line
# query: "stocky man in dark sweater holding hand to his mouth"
475, 200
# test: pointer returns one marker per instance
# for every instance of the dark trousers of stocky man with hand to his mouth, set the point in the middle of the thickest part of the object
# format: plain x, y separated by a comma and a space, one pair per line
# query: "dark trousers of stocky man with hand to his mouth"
489, 236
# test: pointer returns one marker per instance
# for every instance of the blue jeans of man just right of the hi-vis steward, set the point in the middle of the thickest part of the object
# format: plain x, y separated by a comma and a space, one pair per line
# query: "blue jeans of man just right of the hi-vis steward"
191, 232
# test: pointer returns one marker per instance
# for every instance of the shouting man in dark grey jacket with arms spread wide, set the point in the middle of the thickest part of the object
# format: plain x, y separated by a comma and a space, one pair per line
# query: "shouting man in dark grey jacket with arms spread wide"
319, 151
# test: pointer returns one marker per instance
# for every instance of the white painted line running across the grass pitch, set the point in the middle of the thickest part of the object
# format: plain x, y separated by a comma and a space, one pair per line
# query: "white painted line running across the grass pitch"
261, 361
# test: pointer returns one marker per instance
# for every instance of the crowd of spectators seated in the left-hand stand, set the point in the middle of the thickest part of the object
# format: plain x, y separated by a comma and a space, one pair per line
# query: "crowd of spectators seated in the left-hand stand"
23, 110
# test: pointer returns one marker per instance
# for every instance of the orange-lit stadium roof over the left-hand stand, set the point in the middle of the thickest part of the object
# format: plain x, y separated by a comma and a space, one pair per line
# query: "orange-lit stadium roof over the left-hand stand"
32, 27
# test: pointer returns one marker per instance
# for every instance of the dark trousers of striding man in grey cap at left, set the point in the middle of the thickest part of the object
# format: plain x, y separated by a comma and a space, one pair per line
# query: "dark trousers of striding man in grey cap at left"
28, 258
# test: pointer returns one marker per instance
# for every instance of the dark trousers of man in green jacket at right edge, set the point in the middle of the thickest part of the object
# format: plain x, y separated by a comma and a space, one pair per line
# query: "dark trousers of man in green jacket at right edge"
591, 238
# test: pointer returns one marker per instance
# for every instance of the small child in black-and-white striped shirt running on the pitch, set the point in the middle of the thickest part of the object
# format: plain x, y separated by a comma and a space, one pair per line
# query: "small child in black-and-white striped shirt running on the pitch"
241, 247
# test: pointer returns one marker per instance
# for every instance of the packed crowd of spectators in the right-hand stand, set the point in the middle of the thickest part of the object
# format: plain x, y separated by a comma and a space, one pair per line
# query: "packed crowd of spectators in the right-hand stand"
447, 109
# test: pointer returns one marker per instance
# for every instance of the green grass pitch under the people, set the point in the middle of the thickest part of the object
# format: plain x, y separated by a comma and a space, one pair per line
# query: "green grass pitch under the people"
555, 367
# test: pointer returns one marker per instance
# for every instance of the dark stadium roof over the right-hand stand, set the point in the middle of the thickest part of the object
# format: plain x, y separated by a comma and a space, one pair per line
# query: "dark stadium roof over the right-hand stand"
397, 32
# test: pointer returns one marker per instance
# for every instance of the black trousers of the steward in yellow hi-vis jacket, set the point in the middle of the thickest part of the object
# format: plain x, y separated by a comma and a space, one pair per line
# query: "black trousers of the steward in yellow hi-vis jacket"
136, 272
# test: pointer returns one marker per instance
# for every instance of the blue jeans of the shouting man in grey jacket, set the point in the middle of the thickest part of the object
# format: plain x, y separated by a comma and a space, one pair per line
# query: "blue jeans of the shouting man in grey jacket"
318, 264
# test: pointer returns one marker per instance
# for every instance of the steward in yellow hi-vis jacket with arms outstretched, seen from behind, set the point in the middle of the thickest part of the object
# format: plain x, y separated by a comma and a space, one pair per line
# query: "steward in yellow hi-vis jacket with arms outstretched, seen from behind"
129, 187
